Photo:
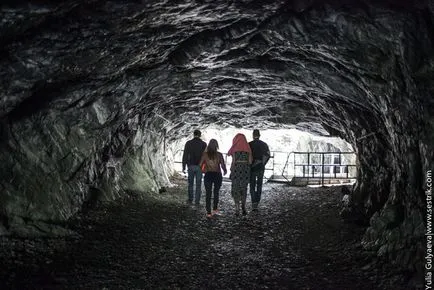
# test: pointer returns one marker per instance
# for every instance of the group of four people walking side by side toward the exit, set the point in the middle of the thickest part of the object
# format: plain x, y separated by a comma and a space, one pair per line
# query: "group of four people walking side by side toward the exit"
248, 166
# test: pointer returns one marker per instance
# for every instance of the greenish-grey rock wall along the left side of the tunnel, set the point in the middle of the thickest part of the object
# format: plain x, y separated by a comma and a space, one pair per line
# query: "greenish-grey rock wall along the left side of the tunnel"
56, 164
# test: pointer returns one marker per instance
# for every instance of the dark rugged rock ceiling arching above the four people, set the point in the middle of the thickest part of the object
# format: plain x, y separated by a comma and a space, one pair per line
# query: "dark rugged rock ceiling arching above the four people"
240, 63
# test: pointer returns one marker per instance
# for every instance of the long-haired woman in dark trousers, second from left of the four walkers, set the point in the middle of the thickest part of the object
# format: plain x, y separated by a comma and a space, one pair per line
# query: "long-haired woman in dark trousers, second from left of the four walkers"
212, 161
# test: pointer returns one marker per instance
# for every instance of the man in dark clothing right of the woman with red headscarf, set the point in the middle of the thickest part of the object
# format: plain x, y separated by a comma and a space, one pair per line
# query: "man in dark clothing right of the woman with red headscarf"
261, 155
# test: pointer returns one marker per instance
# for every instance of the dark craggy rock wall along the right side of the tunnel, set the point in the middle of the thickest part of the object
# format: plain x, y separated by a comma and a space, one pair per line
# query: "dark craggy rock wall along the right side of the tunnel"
394, 149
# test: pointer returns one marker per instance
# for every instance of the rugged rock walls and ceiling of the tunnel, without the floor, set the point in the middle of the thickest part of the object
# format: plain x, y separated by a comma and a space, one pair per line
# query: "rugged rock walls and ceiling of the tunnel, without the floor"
96, 94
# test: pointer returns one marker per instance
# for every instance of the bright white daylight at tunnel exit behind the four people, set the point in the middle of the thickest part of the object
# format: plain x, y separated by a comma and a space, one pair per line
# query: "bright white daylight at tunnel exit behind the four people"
283, 143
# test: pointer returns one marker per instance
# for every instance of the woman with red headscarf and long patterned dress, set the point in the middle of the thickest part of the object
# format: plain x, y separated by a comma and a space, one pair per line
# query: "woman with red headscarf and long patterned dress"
240, 171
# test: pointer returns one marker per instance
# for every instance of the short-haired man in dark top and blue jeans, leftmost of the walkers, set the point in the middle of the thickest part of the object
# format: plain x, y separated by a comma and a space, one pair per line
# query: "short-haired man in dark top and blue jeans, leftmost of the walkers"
193, 151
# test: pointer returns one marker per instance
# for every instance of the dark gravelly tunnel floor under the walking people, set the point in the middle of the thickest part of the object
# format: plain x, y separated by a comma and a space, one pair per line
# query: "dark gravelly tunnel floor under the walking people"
296, 241
